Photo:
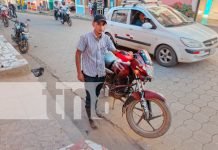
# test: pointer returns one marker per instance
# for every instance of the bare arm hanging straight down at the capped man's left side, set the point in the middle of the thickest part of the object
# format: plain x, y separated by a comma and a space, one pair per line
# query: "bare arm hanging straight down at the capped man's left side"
78, 66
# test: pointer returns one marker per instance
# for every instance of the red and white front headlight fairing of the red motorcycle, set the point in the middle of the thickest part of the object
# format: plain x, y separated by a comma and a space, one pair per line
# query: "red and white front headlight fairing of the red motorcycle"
142, 65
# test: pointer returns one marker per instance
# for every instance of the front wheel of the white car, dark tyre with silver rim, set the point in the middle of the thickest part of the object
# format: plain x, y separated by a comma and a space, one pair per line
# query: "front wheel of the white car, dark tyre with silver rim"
166, 56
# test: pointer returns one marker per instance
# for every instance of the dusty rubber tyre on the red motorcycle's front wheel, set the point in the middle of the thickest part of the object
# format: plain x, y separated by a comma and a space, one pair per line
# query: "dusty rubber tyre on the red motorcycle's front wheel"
160, 131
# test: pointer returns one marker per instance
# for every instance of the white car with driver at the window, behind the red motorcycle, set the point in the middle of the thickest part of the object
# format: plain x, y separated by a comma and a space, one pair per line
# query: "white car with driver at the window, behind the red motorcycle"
166, 33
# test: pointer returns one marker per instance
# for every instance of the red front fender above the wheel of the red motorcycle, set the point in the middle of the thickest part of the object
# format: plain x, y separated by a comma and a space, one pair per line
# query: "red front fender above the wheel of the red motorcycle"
135, 96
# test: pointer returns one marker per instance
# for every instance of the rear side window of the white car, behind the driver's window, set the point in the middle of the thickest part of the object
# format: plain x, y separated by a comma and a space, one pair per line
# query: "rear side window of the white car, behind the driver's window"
120, 16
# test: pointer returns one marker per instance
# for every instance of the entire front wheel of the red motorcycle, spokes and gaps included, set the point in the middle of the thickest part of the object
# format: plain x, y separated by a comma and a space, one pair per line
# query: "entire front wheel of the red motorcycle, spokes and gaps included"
151, 125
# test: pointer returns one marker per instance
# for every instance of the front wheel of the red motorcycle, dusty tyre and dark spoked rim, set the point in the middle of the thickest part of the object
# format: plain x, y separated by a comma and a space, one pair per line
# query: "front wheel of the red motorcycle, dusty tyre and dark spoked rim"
137, 127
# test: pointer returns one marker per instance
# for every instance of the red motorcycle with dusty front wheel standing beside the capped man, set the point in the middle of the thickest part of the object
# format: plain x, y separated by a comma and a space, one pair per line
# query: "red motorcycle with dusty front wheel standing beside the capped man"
146, 111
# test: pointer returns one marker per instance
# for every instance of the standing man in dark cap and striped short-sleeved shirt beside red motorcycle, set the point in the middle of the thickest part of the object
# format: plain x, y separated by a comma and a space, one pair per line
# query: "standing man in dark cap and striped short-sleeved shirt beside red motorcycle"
92, 47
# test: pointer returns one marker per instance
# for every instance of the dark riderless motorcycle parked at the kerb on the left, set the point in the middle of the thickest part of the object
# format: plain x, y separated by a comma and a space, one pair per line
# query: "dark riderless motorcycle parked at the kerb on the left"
20, 36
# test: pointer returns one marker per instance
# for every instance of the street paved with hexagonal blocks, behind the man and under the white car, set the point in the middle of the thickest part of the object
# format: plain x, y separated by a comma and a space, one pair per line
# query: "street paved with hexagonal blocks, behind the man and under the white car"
191, 89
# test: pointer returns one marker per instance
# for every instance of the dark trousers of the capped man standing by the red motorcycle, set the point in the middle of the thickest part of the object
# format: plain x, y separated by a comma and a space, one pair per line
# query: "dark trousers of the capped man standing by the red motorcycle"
93, 86
